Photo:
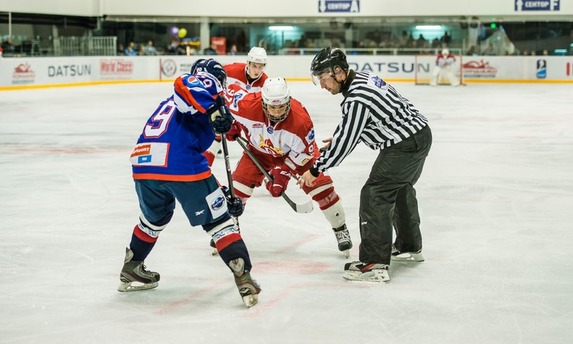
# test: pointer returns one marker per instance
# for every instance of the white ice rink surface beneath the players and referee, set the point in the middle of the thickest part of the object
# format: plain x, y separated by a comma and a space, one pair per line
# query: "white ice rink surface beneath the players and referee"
496, 198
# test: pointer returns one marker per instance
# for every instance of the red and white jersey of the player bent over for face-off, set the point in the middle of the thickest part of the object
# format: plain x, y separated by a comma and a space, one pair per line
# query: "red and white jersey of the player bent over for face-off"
291, 139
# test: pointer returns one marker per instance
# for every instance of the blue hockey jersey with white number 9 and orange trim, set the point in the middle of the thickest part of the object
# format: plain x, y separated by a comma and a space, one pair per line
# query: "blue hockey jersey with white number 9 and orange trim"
171, 144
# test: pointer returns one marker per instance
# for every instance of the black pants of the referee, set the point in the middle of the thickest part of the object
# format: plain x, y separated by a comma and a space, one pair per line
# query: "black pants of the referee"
388, 200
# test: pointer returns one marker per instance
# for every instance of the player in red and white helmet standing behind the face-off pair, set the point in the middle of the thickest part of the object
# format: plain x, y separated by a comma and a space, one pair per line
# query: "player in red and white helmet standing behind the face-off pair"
249, 76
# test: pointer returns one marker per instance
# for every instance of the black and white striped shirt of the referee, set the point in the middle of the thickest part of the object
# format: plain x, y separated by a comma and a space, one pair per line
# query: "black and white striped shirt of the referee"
373, 112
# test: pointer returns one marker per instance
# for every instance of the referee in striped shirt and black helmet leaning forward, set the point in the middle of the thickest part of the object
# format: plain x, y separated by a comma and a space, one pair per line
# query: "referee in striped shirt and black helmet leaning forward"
373, 112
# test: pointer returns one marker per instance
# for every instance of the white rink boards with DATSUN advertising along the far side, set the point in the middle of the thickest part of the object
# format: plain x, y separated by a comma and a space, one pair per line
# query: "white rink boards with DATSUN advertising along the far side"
18, 73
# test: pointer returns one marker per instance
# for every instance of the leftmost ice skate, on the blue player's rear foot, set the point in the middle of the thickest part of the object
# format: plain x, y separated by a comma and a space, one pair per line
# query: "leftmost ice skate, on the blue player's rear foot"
134, 276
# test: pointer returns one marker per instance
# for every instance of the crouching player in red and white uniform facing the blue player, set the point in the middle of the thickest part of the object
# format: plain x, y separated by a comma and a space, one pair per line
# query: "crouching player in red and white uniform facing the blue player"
280, 133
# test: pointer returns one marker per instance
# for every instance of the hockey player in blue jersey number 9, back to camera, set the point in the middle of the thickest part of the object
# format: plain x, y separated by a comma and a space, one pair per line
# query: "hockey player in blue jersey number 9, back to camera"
168, 165
